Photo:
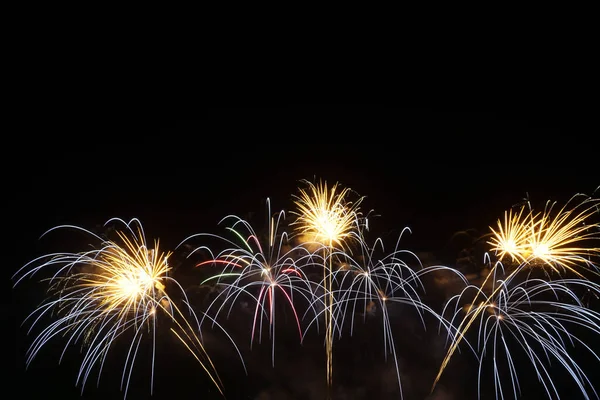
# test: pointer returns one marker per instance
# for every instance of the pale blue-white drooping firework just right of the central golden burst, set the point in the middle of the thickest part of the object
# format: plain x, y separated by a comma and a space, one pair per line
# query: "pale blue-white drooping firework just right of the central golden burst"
366, 282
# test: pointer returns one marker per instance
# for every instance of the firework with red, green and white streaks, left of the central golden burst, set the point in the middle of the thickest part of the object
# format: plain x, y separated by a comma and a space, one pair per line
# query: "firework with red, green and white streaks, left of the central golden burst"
260, 268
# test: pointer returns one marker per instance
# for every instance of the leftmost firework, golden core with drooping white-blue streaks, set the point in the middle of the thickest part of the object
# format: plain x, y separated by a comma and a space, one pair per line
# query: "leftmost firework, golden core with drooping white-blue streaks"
98, 295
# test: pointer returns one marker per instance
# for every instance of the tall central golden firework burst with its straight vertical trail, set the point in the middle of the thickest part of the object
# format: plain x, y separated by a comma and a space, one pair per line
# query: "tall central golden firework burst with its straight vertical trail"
327, 216
